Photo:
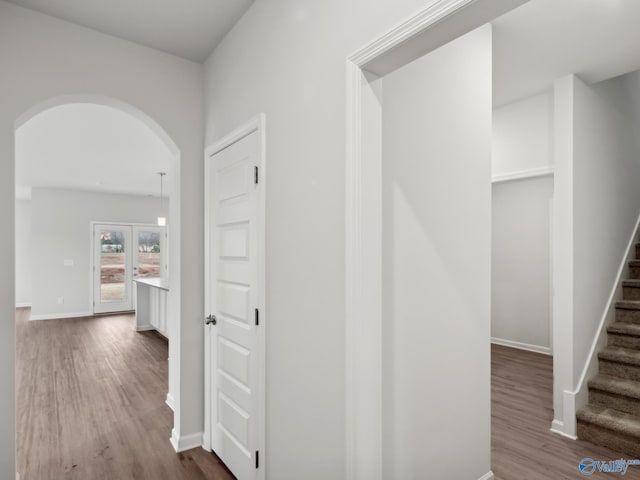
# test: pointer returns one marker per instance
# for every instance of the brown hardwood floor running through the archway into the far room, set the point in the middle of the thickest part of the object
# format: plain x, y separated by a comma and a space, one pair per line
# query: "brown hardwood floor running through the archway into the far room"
90, 404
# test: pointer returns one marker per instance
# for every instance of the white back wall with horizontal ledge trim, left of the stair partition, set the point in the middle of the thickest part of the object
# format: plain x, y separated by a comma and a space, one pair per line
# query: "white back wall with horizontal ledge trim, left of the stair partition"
522, 146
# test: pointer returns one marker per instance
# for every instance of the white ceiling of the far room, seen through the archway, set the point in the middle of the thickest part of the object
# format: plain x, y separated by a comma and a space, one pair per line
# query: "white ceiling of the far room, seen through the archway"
89, 147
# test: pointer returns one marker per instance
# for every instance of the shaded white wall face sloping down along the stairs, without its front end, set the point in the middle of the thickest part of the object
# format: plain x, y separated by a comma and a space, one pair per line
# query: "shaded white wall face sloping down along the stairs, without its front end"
606, 200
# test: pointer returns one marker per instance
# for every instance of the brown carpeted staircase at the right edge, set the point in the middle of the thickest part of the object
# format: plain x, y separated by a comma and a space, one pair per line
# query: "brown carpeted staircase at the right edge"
612, 416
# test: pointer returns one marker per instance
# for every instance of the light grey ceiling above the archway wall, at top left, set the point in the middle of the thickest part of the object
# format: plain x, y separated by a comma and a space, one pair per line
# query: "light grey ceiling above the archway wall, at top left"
187, 28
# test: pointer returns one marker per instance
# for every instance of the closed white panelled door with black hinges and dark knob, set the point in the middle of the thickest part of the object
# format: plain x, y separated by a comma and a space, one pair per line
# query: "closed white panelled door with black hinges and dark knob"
234, 301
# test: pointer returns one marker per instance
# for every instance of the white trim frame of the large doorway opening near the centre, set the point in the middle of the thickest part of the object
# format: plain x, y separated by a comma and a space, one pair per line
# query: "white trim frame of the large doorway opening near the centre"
438, 23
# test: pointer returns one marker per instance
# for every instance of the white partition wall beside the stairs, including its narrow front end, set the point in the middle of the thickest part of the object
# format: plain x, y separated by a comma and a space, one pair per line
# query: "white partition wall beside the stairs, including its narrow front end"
597, 204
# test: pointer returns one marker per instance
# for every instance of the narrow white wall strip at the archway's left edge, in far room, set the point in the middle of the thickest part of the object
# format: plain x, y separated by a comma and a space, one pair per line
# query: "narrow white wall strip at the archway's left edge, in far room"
23, 253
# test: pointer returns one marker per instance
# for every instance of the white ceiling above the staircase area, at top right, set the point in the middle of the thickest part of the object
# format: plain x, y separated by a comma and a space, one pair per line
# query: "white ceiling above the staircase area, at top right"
547, 39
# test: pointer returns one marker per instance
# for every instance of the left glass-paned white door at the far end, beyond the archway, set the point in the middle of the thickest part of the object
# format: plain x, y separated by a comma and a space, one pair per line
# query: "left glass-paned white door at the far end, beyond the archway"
112, 273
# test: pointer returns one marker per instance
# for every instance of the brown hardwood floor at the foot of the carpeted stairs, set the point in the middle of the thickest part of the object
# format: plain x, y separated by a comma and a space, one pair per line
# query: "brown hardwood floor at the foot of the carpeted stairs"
523, 448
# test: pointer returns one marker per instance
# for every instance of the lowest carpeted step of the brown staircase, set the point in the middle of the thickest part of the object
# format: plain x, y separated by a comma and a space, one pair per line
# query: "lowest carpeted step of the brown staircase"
611, 428
